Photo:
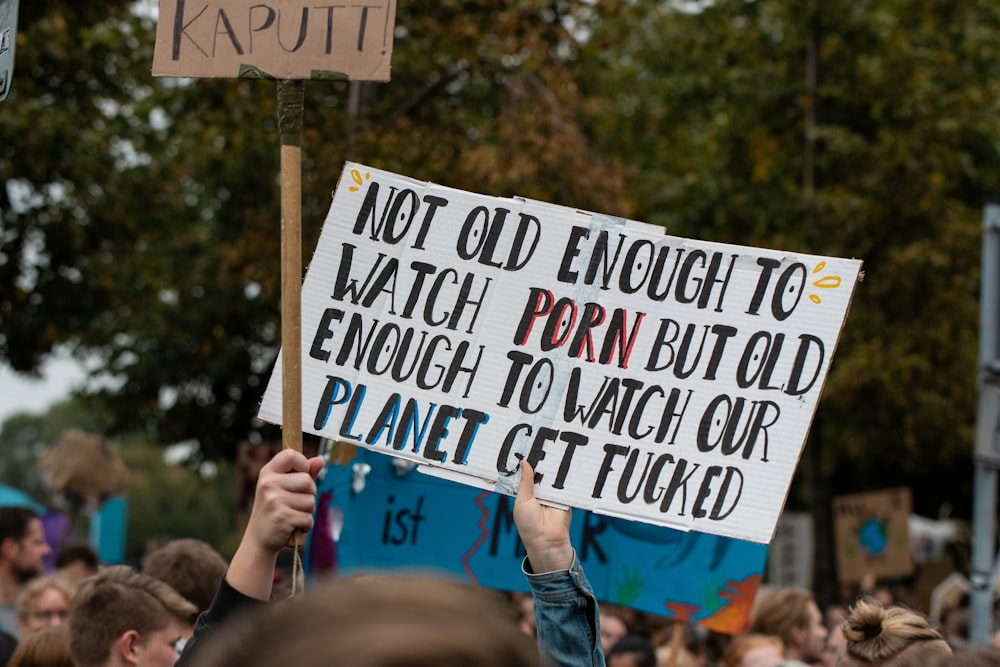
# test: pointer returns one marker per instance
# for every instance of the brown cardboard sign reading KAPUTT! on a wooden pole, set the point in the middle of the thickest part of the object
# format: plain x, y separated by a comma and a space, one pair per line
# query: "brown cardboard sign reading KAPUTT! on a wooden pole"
280, 39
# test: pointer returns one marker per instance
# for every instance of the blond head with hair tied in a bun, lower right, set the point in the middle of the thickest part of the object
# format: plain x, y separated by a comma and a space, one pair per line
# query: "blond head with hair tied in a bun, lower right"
877, 636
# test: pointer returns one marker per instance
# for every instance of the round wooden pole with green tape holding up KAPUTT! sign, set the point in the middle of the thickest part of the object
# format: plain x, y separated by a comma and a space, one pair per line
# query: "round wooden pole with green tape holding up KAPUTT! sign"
290, 102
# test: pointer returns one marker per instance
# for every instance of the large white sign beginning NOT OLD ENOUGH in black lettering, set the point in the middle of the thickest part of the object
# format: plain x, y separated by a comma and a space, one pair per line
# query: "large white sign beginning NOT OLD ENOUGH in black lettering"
645, 376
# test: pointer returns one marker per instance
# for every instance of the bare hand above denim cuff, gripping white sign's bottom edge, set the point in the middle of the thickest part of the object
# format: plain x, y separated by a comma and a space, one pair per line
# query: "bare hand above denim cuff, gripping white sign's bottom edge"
544, 530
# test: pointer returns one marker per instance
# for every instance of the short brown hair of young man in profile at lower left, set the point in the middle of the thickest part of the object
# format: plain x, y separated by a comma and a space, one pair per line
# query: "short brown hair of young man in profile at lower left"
114, 601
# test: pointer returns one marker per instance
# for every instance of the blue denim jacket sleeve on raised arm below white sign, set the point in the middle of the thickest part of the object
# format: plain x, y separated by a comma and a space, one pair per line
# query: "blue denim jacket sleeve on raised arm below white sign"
566, 617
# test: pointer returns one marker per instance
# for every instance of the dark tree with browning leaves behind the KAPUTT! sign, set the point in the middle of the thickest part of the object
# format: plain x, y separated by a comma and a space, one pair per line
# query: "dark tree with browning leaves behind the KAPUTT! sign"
145, 228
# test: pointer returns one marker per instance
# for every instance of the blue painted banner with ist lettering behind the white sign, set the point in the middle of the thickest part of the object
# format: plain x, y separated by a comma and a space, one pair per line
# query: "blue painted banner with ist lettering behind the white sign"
395, 518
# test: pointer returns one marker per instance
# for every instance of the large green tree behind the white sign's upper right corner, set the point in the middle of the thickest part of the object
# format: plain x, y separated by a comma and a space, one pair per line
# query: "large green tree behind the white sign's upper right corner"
904, 159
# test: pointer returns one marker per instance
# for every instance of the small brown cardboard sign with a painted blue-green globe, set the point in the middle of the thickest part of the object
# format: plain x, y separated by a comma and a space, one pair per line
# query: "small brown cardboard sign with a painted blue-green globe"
872, 534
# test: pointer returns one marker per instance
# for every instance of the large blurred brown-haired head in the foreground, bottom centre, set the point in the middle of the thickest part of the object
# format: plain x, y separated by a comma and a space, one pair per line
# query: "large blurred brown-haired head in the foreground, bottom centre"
375, 621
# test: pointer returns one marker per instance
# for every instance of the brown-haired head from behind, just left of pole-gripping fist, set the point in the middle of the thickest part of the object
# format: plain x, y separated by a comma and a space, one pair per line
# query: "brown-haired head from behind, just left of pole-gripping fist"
191, 567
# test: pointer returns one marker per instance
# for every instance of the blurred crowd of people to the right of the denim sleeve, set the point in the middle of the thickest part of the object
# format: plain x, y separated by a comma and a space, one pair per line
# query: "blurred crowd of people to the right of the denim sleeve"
786, 628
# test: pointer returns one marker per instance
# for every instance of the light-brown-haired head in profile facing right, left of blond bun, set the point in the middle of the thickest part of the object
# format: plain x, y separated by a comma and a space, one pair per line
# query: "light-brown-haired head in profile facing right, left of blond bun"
792, 615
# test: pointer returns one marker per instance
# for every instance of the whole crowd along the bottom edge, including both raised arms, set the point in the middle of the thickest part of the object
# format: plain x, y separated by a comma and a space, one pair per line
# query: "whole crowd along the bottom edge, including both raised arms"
190, 607
